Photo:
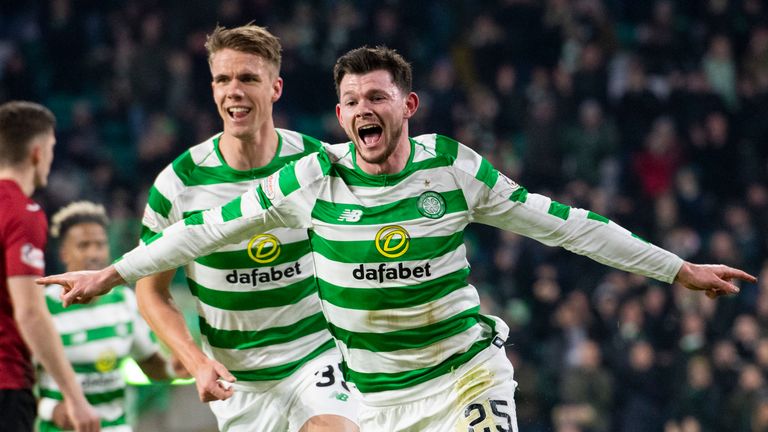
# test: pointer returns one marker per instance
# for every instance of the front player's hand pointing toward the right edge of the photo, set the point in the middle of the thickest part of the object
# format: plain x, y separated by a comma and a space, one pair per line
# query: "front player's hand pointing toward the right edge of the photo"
714, 280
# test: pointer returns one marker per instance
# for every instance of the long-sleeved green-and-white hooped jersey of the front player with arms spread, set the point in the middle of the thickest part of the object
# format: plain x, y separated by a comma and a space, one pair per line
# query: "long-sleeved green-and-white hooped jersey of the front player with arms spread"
390, 255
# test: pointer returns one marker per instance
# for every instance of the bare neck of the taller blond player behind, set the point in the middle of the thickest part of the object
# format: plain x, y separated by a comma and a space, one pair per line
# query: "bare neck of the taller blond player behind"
244, 153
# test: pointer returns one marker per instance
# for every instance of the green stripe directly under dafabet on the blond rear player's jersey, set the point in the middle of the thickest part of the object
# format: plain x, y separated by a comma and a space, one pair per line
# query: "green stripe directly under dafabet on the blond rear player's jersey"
252, 300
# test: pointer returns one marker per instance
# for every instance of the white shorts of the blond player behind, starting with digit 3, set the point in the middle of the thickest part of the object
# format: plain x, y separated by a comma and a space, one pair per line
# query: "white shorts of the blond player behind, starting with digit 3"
315, 389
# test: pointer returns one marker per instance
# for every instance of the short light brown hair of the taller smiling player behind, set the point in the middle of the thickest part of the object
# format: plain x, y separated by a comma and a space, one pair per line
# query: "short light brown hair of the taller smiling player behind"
250, 38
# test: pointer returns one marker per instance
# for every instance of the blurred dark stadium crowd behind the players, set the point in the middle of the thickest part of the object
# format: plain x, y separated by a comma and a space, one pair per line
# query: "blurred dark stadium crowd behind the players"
651, 113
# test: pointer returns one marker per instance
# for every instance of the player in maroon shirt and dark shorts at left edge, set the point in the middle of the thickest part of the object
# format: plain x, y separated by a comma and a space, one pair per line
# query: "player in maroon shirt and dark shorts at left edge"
26, 153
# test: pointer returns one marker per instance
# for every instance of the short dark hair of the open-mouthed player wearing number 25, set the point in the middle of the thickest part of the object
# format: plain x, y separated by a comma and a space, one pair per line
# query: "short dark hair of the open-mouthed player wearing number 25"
366, 59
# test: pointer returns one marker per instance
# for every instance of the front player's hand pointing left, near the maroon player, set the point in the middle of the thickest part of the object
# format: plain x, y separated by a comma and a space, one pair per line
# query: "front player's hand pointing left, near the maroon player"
82, 286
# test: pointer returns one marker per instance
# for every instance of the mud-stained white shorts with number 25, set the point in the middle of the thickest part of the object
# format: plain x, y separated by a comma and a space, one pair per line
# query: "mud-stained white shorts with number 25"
480, 401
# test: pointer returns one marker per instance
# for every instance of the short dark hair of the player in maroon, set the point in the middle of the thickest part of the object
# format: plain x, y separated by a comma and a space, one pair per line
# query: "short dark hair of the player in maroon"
20, 122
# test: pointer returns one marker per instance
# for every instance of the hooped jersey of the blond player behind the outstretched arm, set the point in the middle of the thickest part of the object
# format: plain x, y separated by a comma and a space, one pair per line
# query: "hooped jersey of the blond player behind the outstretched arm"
259, 313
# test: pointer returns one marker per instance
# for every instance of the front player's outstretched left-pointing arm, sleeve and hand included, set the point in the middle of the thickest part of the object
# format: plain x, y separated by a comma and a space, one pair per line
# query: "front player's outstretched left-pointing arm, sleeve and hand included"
284, 199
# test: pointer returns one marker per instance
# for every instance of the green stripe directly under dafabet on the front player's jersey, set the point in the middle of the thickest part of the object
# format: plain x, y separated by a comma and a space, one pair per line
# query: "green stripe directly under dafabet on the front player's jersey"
395, 297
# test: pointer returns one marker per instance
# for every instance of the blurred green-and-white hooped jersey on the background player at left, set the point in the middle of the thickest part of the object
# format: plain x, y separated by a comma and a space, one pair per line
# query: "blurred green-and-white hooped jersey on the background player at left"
97, 337
